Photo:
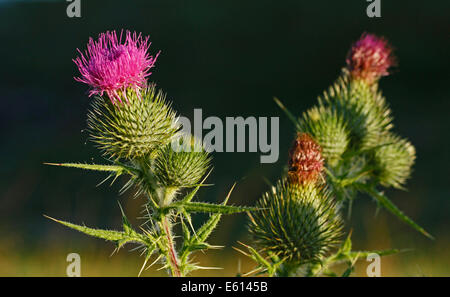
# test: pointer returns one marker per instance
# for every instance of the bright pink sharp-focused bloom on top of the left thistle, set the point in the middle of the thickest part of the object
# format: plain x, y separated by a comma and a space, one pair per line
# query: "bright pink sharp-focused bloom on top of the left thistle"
111, 66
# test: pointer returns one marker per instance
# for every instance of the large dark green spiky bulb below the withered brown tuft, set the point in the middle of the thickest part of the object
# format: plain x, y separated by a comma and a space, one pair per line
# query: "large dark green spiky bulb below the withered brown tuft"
298, 222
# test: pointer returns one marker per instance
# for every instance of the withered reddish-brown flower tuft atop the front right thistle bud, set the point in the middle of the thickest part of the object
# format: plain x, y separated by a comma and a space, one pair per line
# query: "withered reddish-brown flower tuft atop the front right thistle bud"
305, 160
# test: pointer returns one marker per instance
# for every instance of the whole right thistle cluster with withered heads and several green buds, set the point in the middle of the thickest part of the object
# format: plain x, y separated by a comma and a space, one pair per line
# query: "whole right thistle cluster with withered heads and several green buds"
345, 146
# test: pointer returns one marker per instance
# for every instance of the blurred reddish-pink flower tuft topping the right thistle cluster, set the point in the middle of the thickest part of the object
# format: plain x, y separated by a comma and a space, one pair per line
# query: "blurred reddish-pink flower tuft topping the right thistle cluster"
370, 58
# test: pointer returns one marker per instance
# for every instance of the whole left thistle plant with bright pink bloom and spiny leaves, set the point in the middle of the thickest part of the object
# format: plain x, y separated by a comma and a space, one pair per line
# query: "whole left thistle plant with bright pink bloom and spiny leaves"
135, 128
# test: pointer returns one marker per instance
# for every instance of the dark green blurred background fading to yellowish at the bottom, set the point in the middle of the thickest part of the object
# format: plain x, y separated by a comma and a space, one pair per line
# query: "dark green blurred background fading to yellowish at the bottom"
229, 58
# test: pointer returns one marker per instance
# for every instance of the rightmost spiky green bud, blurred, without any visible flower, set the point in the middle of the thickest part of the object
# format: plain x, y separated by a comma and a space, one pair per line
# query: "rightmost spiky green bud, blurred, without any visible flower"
393, 160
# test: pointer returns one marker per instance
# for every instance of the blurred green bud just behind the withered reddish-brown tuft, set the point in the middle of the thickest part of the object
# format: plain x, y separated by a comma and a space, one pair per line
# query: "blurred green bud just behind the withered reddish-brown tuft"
328, 129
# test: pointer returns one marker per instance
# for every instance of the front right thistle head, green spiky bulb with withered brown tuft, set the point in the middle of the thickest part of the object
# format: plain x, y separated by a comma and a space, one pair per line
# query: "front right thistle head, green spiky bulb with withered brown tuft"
298, 222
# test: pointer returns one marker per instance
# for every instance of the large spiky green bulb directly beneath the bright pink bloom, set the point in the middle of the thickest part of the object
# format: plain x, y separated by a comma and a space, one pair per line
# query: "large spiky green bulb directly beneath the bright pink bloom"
134, 128
